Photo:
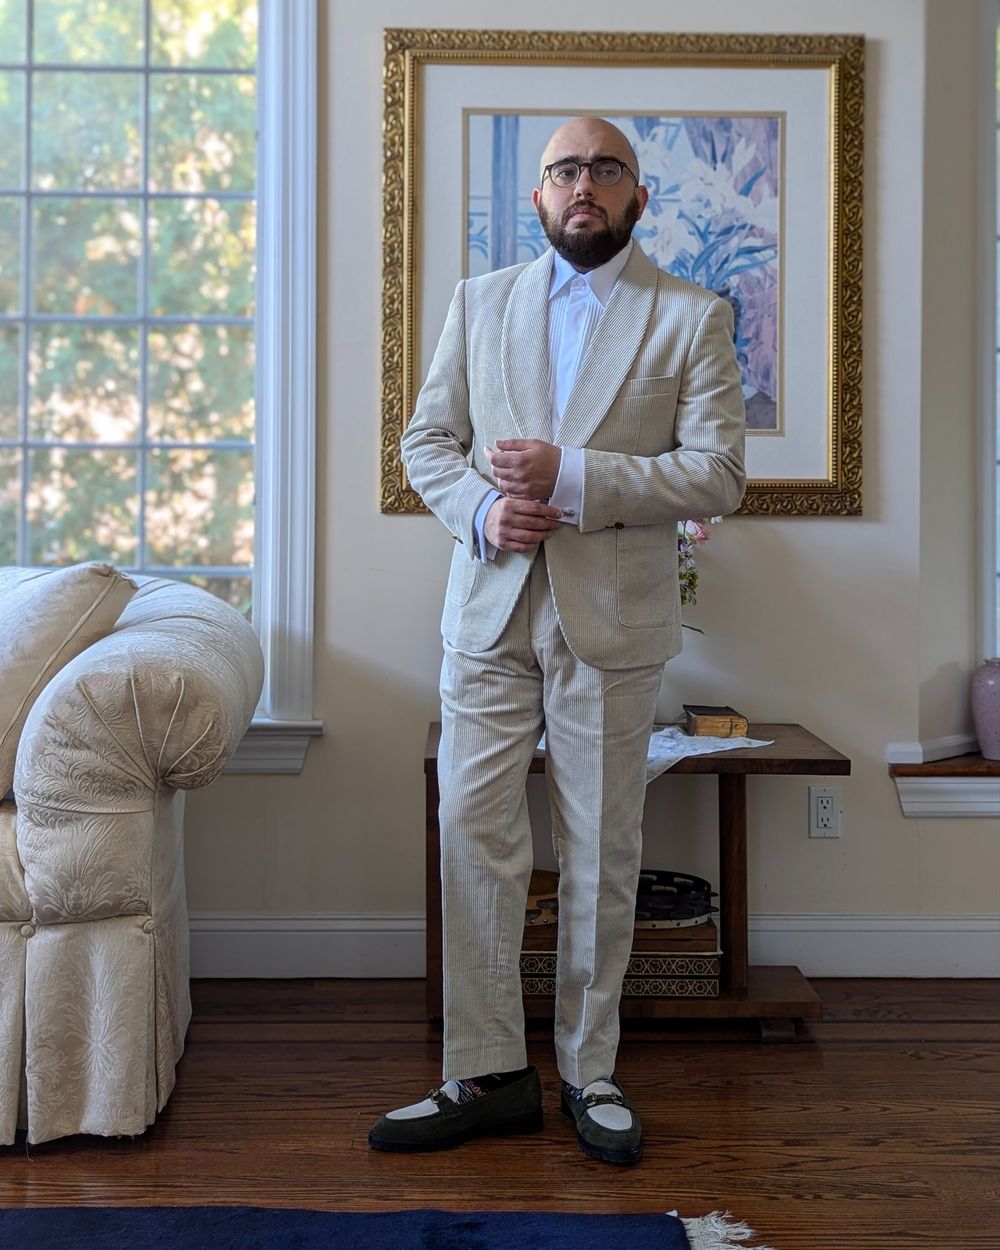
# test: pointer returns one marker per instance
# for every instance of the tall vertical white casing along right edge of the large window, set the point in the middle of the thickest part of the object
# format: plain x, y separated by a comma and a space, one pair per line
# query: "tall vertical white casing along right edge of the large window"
287, 356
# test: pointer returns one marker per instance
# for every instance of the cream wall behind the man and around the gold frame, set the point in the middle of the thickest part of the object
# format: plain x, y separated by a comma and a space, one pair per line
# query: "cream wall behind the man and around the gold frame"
861, 628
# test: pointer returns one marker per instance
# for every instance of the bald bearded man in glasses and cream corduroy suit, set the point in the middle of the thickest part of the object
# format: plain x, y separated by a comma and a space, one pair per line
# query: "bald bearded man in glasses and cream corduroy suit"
576, 411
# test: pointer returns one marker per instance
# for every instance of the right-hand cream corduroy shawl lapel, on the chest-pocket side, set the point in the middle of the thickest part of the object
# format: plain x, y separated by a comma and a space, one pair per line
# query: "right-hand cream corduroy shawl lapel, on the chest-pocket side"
612, 351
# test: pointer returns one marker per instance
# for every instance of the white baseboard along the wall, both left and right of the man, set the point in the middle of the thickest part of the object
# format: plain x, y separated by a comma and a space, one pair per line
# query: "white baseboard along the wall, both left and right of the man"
372, 946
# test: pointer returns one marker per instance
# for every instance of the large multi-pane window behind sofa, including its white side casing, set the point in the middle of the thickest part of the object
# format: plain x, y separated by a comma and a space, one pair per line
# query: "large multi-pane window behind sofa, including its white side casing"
157, 233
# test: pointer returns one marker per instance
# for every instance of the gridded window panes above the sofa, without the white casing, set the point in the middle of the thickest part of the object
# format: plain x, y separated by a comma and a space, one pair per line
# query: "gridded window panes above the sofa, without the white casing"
128, 203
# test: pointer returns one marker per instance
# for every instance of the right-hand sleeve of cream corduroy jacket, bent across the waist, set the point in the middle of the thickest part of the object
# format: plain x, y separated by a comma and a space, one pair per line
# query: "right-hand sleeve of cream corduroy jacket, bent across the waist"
704, 474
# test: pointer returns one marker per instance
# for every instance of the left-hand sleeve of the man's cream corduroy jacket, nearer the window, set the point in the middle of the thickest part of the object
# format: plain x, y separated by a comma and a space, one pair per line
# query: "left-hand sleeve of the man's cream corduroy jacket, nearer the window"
438, 443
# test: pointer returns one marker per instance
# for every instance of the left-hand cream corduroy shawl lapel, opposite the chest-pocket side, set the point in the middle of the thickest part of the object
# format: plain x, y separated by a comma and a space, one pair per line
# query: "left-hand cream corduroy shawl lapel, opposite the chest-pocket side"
526, 349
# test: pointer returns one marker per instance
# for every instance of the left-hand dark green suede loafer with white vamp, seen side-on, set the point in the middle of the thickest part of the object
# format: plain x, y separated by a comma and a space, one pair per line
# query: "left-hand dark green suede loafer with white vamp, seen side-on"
439, 1123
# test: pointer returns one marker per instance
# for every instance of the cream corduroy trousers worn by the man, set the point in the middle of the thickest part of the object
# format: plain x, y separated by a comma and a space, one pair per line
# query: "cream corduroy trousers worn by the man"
494, 708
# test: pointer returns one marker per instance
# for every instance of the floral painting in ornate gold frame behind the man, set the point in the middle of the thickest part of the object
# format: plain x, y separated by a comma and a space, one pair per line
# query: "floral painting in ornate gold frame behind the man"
752, 151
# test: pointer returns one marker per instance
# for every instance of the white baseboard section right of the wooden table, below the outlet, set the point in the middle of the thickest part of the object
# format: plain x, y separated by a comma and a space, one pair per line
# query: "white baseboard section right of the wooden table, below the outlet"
879, 946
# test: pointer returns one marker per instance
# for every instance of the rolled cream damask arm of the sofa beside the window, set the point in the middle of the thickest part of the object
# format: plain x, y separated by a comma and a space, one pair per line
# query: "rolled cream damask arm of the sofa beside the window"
159, 704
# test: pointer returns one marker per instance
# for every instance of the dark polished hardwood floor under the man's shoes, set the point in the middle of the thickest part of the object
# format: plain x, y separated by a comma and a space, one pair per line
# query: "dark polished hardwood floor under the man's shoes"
878, 1129
